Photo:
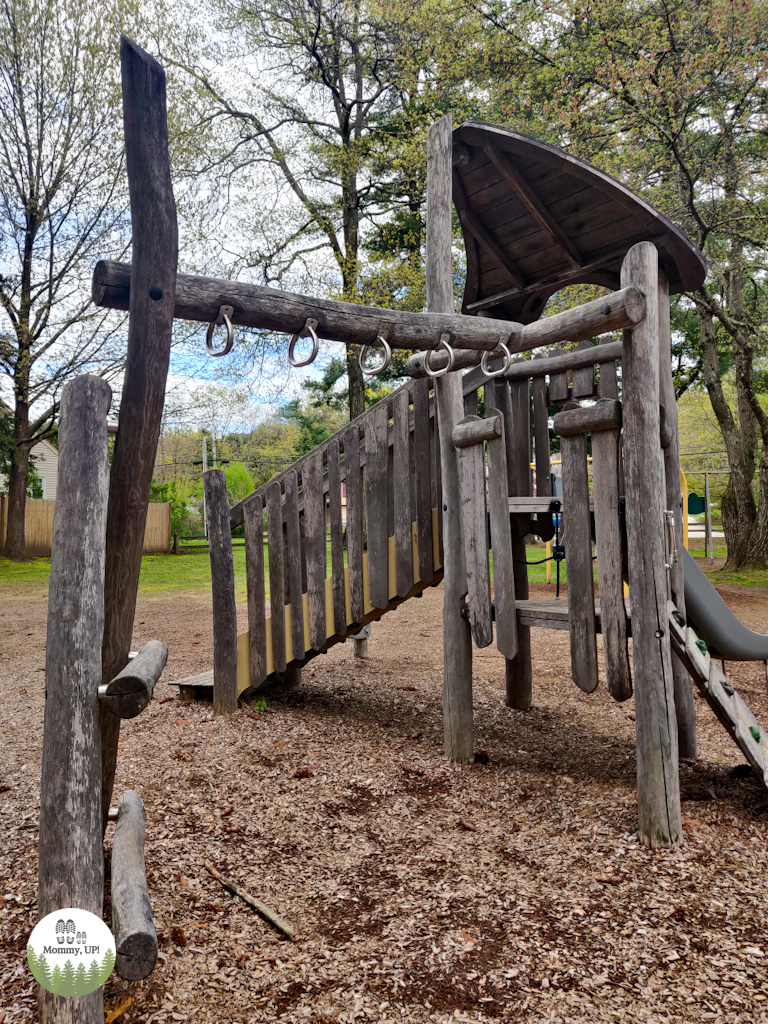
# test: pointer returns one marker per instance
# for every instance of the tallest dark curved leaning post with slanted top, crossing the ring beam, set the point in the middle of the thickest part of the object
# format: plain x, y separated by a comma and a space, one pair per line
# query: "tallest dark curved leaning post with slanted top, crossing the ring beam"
155, 250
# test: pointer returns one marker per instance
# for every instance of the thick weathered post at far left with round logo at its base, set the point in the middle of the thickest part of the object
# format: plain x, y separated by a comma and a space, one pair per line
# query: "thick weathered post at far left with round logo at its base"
71, 871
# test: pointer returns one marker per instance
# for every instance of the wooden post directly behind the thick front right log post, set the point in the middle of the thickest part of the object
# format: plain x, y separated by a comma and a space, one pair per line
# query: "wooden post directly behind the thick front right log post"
686, 709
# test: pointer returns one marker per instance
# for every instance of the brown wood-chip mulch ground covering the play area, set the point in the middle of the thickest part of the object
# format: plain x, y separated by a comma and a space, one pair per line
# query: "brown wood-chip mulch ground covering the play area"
510, 890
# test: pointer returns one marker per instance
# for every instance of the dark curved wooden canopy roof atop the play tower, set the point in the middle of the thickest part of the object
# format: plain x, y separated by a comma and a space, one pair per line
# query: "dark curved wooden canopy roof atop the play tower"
536, 220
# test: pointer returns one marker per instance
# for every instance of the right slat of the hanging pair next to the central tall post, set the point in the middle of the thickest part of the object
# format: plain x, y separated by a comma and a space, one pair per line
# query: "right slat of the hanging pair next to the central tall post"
501, 542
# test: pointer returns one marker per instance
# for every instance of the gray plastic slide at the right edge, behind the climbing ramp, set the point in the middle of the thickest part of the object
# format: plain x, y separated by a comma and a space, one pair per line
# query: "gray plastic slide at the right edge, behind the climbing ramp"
715, 623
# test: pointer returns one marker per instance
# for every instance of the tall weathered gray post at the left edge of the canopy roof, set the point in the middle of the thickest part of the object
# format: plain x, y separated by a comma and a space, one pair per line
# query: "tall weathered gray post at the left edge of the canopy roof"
457, 641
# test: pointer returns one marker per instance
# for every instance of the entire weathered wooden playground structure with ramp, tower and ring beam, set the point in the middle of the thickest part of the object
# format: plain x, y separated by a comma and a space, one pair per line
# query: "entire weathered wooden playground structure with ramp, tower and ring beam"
435, 492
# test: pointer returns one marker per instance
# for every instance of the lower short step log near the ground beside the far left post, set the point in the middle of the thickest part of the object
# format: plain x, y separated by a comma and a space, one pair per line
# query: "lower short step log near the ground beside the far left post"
136, 937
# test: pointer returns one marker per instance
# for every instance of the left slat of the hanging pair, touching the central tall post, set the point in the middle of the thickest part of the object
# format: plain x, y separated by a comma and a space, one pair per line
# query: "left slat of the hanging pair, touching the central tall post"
475, 535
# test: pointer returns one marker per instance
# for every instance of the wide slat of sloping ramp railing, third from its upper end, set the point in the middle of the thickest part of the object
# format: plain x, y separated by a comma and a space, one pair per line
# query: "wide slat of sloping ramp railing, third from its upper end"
376, 505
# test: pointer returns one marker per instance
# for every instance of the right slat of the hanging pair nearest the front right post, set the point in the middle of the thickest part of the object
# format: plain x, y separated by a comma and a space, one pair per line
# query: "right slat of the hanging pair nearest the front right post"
606, 456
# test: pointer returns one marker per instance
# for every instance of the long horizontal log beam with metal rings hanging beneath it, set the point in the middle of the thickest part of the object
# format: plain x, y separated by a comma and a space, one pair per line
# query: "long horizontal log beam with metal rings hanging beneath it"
269, 309
